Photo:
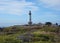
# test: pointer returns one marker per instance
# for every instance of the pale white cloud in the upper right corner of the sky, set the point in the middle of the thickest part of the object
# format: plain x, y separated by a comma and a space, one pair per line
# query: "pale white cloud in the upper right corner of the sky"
53, 4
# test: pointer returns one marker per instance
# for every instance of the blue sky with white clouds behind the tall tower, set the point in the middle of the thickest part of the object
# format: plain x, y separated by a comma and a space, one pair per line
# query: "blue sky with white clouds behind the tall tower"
15, 12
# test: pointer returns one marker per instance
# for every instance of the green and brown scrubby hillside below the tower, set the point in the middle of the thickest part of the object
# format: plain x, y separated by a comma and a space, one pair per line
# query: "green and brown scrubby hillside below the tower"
30, 34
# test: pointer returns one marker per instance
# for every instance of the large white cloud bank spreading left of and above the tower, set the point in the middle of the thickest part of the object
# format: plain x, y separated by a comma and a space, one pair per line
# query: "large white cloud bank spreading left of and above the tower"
16, 7
